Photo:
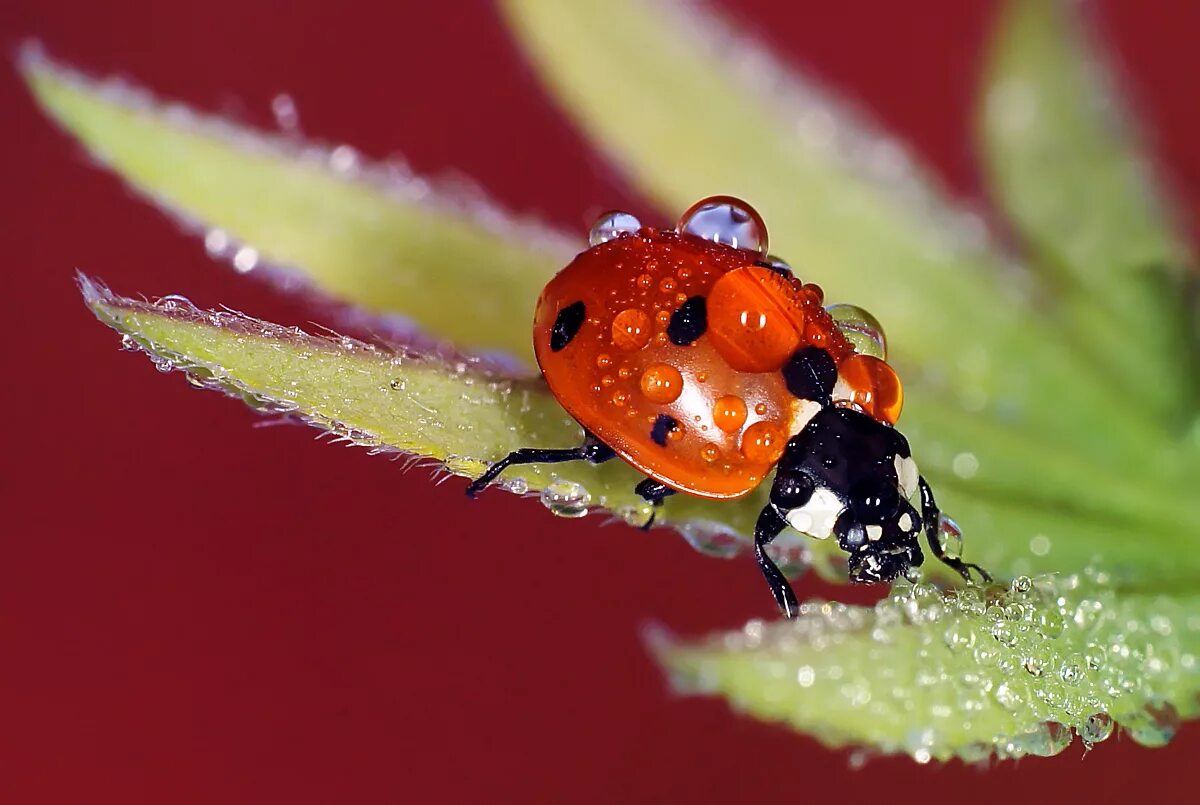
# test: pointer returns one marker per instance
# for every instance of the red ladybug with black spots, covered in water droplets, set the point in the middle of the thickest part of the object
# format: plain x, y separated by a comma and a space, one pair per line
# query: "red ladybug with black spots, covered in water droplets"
704, 363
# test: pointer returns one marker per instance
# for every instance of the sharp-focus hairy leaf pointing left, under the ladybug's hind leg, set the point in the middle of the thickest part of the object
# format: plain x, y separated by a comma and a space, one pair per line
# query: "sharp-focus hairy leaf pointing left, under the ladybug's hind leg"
455, 414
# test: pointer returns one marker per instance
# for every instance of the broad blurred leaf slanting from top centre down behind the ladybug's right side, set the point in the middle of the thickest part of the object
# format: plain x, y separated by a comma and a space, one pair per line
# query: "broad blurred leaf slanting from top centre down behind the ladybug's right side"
1004, 411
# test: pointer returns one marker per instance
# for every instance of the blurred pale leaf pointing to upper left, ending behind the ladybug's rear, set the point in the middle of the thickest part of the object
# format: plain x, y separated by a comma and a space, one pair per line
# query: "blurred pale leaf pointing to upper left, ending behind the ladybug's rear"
371, 236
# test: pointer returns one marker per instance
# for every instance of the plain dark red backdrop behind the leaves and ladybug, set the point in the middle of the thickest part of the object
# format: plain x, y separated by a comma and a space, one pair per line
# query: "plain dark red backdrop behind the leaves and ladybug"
194, 610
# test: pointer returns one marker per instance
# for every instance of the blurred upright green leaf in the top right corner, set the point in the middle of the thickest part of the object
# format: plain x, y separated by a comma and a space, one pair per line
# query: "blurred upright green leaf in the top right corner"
1071, 176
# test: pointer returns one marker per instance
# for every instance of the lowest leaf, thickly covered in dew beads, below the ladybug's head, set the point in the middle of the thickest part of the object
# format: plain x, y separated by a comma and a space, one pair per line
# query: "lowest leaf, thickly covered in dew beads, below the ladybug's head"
970, 674
